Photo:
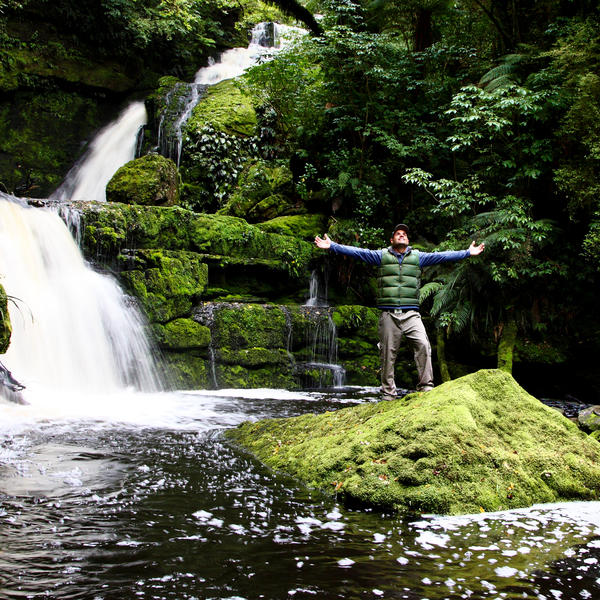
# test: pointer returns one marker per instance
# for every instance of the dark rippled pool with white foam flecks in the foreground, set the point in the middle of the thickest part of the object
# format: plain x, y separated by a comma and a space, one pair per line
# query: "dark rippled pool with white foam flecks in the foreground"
141, 497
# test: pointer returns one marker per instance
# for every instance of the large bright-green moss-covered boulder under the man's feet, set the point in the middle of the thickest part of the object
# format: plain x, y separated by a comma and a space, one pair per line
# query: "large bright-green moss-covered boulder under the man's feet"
478, 443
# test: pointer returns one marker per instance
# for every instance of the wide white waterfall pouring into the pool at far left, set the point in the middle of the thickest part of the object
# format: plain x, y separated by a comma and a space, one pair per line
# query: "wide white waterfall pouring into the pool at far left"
74, 331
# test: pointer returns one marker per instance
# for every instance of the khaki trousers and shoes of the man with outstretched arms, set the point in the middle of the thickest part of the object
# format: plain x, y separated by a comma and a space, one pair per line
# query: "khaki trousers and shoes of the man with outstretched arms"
392, 327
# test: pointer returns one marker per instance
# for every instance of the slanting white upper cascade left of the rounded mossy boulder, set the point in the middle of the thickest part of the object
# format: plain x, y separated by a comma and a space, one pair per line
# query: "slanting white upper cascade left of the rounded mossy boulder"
112, 147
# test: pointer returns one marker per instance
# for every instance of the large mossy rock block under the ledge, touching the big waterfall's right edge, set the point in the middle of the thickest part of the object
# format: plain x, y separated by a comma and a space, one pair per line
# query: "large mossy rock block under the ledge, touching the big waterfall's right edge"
167, 283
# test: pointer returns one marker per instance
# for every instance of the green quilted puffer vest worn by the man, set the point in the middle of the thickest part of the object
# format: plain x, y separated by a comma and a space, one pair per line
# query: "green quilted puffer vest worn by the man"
398, 284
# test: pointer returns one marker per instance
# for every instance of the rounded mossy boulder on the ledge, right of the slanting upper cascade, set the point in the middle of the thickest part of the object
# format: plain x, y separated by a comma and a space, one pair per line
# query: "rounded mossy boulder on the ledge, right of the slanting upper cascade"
149, 180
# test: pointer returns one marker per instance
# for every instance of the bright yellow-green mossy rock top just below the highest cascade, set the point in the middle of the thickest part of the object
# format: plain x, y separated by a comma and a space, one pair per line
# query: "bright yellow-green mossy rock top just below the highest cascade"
226, 108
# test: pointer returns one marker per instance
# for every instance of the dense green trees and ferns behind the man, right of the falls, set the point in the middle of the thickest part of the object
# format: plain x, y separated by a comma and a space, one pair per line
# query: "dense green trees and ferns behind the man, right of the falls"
470, 120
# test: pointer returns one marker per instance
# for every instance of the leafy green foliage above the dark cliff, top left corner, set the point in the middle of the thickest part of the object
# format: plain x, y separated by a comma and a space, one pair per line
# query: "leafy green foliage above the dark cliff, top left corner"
162, 33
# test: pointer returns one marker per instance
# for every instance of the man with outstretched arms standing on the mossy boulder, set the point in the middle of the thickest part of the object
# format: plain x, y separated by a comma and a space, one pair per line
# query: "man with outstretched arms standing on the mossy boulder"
399, 280
